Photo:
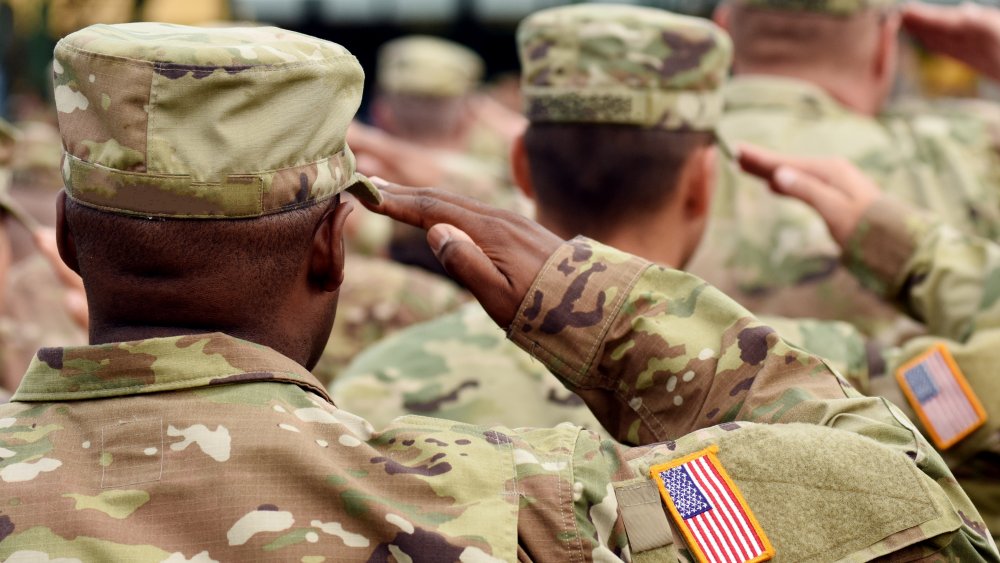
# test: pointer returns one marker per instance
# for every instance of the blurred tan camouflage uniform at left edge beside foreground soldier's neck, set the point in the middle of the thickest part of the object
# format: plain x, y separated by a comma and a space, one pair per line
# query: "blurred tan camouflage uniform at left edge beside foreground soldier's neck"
33, 318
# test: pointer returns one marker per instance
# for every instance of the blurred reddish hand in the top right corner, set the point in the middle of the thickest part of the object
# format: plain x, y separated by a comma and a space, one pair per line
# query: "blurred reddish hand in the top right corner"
968, 32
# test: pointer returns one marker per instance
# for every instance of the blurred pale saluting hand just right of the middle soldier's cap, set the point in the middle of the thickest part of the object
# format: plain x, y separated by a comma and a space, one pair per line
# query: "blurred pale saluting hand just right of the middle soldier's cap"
834, 187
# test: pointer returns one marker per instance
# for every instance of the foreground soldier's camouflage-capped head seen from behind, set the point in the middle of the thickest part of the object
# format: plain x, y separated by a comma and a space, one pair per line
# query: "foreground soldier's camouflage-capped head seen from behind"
198, 162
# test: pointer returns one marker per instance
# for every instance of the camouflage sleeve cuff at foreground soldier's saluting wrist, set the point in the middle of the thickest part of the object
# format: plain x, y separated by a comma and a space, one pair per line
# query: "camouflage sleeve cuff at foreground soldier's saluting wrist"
571, 305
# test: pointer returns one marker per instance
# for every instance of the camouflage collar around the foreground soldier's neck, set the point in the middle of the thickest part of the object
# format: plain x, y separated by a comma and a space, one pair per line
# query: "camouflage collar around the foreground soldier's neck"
154, 365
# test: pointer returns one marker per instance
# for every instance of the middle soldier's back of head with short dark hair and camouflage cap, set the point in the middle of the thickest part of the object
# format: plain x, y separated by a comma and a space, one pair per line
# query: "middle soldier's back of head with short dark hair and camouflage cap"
618, 99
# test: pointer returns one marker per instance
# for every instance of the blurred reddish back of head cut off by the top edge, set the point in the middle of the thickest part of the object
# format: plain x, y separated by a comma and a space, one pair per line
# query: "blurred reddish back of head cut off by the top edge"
837, 37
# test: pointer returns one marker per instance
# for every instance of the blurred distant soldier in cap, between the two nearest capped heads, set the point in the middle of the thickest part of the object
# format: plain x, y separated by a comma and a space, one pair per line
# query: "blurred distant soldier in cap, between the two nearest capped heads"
426, 101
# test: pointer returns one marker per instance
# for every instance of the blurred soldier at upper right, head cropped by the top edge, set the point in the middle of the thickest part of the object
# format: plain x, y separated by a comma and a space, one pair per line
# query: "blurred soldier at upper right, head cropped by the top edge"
800, 88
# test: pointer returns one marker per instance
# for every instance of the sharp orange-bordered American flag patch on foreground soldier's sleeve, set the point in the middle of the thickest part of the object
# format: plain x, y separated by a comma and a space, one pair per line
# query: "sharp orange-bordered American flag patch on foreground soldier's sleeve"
710, 511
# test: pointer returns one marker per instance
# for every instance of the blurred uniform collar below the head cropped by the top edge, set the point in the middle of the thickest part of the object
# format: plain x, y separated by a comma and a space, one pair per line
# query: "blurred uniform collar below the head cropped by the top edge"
757, 91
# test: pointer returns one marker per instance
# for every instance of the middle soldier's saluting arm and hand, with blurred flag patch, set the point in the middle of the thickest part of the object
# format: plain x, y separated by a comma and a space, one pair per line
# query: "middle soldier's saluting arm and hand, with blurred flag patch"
940, 276
